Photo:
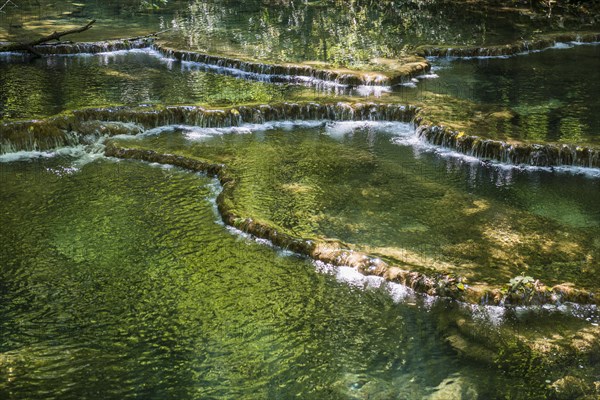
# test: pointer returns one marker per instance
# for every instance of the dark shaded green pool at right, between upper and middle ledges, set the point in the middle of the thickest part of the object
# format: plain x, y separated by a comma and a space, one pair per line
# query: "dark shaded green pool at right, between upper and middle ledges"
546, 96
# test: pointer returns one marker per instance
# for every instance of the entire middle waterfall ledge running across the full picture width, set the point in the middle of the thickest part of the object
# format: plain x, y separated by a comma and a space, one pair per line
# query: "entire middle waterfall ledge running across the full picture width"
53, 132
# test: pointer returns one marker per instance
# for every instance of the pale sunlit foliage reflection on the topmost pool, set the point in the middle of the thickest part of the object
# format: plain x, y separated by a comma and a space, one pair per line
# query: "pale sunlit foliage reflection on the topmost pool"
345, 32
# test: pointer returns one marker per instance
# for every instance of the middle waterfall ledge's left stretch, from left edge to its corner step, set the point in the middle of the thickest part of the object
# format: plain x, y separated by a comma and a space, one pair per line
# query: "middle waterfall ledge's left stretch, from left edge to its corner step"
70, 130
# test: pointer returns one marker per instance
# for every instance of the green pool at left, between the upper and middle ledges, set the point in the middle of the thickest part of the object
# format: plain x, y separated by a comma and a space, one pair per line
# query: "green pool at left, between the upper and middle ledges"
54, 84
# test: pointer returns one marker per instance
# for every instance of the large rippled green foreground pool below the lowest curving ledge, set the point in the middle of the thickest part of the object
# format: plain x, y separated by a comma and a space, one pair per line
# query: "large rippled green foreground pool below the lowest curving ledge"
118, 283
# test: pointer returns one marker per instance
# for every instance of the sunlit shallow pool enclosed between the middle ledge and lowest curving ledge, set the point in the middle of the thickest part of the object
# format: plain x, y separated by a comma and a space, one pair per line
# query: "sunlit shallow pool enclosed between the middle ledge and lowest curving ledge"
395, 198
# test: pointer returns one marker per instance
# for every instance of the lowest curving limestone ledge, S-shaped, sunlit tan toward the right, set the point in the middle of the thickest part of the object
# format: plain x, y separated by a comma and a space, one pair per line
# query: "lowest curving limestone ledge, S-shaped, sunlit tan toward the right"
338, 253
